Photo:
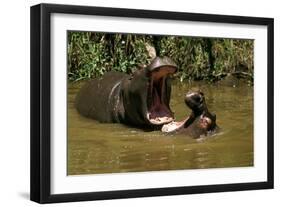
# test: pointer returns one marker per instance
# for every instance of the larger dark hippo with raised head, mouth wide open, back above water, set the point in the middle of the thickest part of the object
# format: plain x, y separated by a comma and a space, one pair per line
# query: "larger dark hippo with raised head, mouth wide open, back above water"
140, 99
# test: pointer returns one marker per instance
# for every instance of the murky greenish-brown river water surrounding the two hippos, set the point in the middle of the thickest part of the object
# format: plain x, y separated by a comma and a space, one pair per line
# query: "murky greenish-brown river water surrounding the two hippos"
110, 148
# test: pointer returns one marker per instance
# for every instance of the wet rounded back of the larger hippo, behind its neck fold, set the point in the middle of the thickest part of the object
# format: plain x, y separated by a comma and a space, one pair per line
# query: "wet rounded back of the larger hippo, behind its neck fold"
98, 99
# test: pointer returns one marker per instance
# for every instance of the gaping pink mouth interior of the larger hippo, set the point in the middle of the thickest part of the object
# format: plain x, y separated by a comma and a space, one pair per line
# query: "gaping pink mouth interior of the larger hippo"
159, 111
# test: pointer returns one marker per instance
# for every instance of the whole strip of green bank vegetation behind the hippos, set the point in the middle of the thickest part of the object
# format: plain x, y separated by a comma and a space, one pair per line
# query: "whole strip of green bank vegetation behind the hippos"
91, 54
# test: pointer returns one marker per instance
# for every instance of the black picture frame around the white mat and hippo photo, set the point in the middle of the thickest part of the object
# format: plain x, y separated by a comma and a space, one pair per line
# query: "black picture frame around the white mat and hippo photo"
40, 176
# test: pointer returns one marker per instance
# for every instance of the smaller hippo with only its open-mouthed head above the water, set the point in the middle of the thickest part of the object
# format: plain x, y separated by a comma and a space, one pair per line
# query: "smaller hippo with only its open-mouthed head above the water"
199, 123
